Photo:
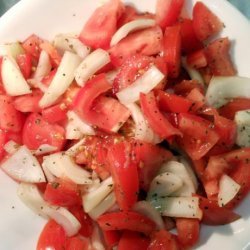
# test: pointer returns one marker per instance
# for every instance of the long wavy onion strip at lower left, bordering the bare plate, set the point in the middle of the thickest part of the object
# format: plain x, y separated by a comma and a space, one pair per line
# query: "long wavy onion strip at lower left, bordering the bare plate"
31, 196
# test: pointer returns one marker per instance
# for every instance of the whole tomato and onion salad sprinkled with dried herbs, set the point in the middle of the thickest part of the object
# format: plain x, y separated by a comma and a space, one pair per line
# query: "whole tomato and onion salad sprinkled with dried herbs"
124, 132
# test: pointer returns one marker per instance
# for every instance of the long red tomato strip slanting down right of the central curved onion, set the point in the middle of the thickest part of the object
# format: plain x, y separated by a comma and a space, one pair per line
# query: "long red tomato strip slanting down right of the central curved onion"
155, 118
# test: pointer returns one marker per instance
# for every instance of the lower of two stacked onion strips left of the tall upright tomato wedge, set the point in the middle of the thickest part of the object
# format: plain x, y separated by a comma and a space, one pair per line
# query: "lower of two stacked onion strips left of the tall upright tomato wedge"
103, 206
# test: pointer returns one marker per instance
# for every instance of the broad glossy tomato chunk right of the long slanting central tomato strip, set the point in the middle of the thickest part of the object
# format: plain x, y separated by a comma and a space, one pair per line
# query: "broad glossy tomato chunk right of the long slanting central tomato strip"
199, 143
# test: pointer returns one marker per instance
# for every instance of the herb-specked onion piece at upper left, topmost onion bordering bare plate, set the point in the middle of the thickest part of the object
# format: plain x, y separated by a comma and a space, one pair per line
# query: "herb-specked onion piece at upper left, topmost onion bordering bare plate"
65, 42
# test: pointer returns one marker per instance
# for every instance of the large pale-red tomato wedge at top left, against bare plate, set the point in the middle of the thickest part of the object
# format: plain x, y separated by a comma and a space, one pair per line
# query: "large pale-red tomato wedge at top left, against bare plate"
101, 26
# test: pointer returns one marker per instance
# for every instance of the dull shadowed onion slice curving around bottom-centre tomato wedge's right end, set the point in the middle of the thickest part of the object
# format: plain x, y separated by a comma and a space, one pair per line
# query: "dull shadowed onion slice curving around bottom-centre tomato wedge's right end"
145, 208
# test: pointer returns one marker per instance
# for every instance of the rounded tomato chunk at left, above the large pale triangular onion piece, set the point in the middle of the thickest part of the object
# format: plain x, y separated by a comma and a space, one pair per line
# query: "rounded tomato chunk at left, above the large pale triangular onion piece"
37, 131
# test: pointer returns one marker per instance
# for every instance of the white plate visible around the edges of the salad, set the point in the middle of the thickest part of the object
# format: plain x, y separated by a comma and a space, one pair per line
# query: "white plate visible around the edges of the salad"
19, 227
